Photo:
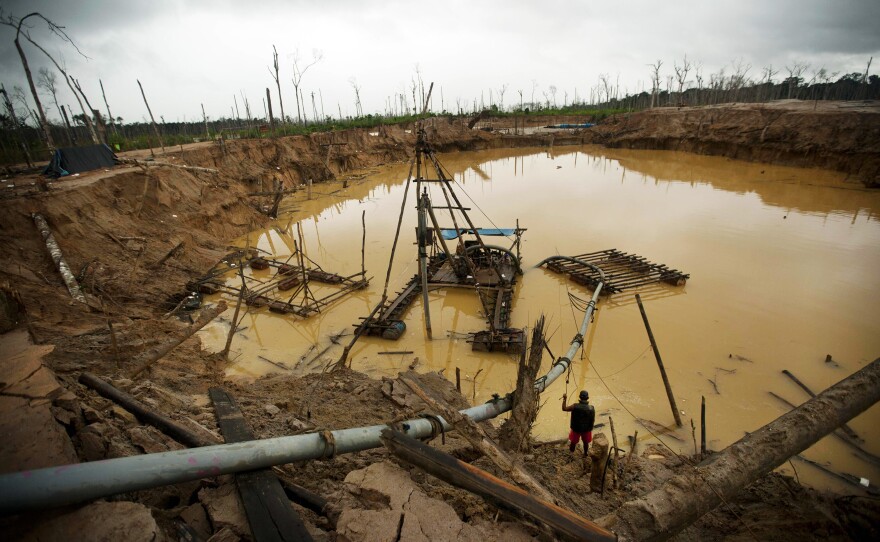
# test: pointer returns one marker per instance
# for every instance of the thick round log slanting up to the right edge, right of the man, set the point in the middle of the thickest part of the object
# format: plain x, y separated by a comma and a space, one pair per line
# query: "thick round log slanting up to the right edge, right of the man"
686, 497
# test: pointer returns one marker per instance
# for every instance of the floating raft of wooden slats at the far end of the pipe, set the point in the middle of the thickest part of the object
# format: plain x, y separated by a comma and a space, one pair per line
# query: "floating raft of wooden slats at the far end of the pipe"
622, 271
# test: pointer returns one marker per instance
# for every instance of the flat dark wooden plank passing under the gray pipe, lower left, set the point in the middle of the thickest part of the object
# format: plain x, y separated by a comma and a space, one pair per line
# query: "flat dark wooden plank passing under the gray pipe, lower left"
269, 512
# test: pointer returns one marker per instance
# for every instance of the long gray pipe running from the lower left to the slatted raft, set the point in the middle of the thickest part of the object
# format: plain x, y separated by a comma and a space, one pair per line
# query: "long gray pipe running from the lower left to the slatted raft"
68, 484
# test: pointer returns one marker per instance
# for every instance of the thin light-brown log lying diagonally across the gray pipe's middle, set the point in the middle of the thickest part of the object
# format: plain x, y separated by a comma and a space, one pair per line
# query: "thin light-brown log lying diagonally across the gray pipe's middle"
478, 438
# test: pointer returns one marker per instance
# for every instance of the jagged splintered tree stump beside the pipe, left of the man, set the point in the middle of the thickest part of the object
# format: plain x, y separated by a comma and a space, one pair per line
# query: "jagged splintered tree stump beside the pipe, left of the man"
514, 434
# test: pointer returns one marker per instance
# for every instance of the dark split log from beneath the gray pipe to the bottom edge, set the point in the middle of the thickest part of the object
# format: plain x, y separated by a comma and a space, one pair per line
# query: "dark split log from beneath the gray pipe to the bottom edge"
480, 482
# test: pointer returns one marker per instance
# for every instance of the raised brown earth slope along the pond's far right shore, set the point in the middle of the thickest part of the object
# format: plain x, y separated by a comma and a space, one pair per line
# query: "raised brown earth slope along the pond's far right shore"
843, 136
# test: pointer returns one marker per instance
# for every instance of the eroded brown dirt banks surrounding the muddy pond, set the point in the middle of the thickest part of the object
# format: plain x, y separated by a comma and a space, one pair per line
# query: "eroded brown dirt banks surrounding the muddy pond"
134, 236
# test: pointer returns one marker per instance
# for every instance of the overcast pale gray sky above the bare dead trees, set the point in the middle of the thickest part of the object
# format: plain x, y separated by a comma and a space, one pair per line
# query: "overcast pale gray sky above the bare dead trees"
190, 52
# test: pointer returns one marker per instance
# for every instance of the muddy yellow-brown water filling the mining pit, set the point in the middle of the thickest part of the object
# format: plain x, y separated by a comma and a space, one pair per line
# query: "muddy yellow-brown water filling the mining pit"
783, 264
